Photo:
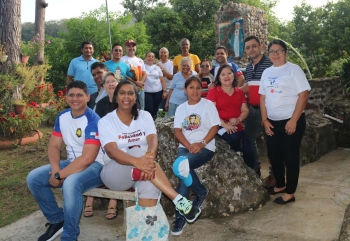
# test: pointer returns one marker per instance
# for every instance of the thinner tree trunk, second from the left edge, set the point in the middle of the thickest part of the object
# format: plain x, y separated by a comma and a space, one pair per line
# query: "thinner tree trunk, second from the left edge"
40, 6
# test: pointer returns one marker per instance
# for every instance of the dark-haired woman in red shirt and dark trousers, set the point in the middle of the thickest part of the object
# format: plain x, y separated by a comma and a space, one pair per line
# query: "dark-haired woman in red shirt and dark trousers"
232, 107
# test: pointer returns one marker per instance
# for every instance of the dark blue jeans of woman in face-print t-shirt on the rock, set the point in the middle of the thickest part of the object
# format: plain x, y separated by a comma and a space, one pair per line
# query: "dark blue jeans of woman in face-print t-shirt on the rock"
195, 161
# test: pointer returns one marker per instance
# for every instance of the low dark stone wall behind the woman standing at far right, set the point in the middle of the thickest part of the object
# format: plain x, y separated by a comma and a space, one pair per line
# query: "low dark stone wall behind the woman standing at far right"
323, 135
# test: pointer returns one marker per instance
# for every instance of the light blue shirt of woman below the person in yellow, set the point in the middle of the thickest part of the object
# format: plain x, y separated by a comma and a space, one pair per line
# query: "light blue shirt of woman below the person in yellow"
178, 85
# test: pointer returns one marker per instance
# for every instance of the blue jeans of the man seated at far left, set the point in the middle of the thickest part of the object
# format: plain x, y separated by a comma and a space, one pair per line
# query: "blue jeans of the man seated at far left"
73, 188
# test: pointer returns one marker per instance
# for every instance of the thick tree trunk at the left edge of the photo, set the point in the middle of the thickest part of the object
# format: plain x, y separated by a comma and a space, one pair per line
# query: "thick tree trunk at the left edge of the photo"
10, 32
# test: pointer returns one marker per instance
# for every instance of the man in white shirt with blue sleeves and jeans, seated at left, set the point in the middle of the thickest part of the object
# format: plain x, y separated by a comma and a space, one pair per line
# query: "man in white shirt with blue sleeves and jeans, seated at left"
76, 127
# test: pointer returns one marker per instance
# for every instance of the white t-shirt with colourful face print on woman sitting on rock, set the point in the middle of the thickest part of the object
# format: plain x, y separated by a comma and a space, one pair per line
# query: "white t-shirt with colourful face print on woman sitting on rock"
196, 120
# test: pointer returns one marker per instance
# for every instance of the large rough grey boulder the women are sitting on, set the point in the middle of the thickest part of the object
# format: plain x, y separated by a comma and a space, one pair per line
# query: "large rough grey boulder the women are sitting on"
233, 187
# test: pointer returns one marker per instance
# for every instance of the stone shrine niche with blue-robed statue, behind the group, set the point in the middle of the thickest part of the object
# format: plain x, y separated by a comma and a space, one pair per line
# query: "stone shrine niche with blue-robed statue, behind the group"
236, 21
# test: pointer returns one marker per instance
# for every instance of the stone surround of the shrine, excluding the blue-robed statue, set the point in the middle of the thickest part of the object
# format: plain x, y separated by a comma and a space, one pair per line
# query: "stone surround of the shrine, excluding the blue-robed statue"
254, 23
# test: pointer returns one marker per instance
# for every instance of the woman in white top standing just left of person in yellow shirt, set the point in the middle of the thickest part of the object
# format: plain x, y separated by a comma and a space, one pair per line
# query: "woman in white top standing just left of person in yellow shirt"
167, 67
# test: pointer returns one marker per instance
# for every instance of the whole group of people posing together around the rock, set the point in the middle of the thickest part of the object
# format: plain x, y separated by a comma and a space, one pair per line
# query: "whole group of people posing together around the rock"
106, 141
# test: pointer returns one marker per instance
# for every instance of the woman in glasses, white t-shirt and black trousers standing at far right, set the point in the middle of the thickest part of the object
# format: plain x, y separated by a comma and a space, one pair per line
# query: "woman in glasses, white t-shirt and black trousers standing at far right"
283, 98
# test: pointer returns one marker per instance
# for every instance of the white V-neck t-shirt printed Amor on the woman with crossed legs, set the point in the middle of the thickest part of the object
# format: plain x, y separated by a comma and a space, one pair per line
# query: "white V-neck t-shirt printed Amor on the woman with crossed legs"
111, 129
